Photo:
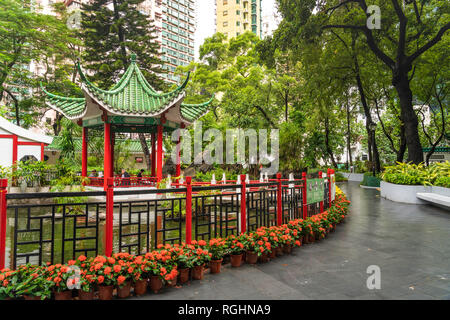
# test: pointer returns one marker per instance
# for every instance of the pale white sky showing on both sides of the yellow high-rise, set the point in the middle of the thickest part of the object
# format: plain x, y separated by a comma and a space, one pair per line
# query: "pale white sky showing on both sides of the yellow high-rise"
206, 14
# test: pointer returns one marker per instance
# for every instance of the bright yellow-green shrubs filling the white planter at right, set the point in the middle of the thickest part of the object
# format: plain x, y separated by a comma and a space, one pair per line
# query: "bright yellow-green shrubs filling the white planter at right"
418, 174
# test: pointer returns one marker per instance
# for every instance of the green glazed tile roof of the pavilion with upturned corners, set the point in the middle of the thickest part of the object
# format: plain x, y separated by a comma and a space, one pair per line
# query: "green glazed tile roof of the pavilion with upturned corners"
131, 95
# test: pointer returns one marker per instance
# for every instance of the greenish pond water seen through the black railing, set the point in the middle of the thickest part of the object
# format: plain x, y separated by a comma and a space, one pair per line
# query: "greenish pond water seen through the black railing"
43, 236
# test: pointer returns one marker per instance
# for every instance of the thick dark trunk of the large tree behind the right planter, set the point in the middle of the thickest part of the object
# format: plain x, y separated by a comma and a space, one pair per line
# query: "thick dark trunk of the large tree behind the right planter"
408, 116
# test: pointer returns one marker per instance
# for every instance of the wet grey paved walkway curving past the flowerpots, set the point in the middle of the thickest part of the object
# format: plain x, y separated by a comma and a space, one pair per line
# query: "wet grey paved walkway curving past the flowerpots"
410, 243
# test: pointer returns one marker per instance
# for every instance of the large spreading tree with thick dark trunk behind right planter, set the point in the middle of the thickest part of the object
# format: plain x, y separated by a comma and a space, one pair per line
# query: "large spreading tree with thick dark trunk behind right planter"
406, 33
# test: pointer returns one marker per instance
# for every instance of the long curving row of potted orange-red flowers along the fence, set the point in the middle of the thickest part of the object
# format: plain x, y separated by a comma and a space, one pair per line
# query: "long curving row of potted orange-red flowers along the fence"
169, 265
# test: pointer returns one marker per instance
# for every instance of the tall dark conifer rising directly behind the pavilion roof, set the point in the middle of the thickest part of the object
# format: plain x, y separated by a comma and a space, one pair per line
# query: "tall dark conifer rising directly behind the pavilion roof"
111, 29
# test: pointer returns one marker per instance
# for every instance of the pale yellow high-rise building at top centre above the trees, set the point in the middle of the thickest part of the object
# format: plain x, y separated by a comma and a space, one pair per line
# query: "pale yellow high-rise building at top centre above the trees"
234, 17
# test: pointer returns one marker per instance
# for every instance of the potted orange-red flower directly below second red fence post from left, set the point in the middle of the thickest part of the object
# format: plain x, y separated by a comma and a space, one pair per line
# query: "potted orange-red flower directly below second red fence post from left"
104, 276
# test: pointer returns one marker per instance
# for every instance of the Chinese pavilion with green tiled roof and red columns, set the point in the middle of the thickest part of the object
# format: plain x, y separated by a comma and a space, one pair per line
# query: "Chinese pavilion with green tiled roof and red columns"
130, 106
